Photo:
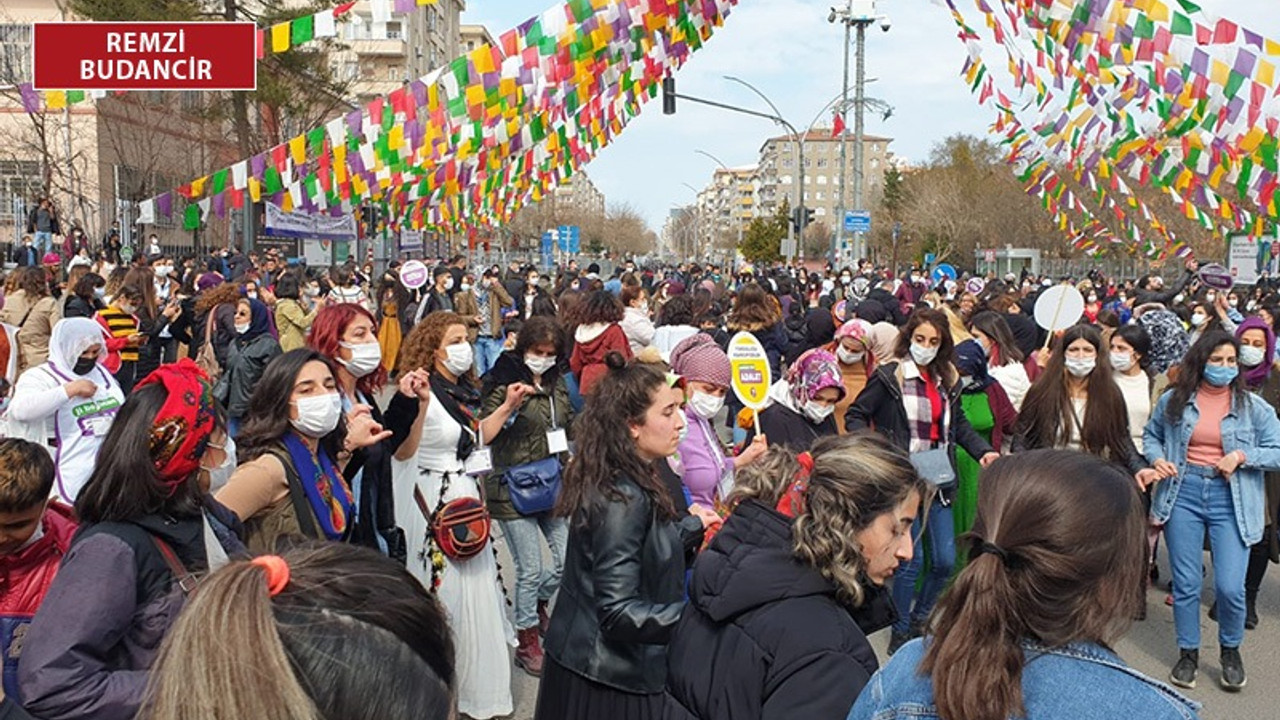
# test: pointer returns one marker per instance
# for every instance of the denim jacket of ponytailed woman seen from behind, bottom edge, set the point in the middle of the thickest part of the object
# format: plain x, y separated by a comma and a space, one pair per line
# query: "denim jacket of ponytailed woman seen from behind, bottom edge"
1082, 682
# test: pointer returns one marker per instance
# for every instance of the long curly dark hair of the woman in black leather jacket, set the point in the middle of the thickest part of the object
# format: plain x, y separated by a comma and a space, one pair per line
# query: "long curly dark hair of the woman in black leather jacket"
605, 448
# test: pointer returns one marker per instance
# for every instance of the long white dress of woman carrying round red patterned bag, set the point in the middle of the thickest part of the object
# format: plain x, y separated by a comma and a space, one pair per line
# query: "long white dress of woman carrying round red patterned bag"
469, 589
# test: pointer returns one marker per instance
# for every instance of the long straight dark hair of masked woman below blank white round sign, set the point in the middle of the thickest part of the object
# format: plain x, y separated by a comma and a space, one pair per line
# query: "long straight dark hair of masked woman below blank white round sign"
1048, 416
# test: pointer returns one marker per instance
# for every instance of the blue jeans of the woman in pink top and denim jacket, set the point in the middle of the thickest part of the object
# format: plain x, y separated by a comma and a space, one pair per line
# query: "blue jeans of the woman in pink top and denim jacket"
1205, 504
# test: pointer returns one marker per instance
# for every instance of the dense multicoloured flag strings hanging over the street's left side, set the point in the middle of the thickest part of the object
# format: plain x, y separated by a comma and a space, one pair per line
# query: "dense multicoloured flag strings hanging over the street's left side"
477, 140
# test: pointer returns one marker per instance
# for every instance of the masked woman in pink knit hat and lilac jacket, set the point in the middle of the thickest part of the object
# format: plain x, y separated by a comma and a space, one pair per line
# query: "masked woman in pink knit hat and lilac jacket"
705, 470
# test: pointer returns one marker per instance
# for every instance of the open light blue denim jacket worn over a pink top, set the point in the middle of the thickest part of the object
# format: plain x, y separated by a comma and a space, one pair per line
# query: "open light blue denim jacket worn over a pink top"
1252, 430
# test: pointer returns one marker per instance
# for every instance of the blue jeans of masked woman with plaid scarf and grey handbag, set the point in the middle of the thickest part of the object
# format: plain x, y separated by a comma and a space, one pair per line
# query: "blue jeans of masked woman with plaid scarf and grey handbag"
941, 536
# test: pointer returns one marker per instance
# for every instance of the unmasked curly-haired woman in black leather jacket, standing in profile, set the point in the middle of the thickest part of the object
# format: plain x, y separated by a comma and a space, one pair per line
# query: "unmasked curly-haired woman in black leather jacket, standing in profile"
624, 576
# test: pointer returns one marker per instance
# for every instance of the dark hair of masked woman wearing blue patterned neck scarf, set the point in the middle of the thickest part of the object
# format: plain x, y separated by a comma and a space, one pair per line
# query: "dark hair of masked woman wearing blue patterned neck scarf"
268, 420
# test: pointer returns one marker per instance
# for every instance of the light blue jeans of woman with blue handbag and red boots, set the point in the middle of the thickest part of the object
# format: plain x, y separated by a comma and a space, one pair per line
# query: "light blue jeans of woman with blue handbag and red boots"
534, 582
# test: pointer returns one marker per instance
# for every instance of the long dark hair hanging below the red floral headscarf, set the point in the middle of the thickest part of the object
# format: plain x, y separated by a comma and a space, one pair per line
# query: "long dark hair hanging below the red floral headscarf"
125, 485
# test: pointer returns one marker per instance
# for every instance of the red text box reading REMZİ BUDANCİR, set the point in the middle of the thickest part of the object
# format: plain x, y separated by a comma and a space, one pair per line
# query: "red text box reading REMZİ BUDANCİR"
145, 56
